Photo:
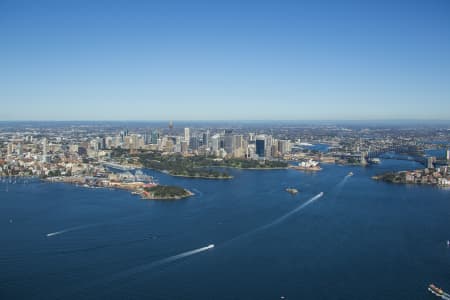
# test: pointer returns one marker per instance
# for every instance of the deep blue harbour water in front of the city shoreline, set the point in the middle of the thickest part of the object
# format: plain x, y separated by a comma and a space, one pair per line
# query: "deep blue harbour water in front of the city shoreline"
362, 239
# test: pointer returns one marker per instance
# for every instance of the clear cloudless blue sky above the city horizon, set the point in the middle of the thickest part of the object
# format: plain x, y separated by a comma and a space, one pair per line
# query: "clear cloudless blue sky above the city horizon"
207, 60
